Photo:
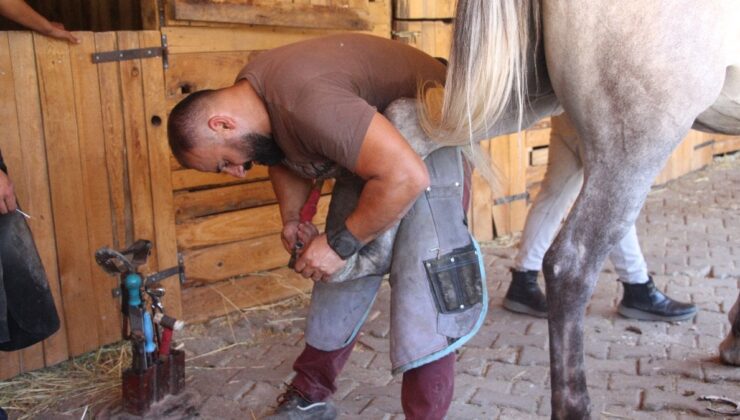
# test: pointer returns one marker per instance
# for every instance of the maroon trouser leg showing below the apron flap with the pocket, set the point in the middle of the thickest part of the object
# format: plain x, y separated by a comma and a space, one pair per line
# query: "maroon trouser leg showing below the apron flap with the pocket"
426, 392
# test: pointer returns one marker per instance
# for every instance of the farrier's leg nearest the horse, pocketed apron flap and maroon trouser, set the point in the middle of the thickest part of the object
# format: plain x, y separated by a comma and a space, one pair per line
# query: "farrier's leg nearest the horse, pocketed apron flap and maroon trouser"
433, 251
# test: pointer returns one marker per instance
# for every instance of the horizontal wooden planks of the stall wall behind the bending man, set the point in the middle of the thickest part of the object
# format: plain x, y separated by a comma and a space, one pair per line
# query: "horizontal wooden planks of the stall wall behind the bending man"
228, 229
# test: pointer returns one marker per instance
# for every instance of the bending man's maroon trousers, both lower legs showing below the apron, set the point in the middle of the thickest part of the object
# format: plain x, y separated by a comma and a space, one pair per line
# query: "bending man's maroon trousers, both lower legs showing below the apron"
426, 391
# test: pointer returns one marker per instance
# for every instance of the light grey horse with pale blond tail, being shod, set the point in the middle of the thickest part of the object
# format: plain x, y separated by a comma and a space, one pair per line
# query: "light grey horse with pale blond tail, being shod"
634, 77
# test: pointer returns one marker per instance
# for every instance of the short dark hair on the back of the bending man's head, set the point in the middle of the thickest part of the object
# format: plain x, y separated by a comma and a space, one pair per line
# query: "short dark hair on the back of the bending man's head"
183, 123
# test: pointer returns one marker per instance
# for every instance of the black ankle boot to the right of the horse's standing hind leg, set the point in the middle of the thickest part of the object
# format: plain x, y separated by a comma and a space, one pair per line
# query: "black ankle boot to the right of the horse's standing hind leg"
645, 302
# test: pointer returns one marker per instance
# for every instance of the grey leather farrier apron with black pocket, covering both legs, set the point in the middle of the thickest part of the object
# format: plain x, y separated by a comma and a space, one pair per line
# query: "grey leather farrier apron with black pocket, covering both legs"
438, 291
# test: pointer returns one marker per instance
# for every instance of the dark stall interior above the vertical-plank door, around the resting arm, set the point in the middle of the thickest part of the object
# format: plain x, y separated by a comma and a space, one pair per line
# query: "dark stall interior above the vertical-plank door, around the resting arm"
86, 15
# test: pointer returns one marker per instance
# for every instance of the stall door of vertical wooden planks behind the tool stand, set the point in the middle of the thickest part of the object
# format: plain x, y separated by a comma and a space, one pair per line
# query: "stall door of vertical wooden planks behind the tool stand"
84, 150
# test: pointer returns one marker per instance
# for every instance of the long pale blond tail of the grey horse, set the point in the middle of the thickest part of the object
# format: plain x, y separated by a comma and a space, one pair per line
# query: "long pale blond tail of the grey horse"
486, 71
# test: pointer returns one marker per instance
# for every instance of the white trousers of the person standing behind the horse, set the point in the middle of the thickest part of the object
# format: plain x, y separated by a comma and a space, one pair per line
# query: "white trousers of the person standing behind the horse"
559, 189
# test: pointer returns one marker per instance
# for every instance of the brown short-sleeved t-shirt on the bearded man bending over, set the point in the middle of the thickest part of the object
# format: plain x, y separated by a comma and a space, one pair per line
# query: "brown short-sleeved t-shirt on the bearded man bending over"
321, 94
